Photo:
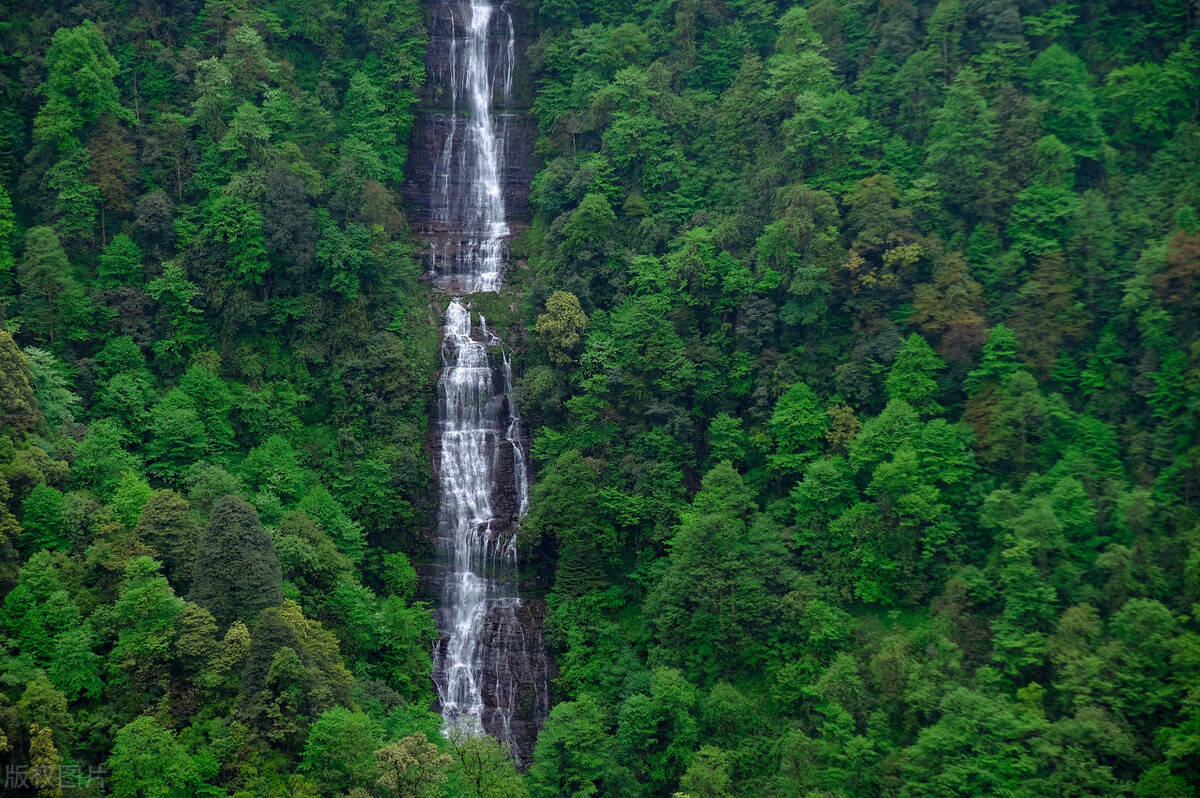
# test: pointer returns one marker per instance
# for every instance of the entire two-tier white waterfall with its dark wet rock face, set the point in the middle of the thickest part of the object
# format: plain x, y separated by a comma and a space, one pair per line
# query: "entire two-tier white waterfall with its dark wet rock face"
469, 184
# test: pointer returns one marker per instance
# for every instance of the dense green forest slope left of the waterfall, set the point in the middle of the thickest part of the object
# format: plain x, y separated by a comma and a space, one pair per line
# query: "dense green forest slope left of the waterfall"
201, 255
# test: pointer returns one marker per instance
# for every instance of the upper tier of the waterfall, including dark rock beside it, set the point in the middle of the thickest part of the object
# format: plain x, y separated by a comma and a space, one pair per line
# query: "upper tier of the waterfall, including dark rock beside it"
471, 173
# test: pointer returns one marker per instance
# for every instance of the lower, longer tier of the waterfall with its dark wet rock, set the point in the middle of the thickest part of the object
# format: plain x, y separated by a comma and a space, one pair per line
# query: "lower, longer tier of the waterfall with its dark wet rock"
490, 665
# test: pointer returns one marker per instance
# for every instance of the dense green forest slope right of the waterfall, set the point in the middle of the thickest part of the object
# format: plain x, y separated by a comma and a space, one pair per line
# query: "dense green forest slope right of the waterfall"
917, 273
